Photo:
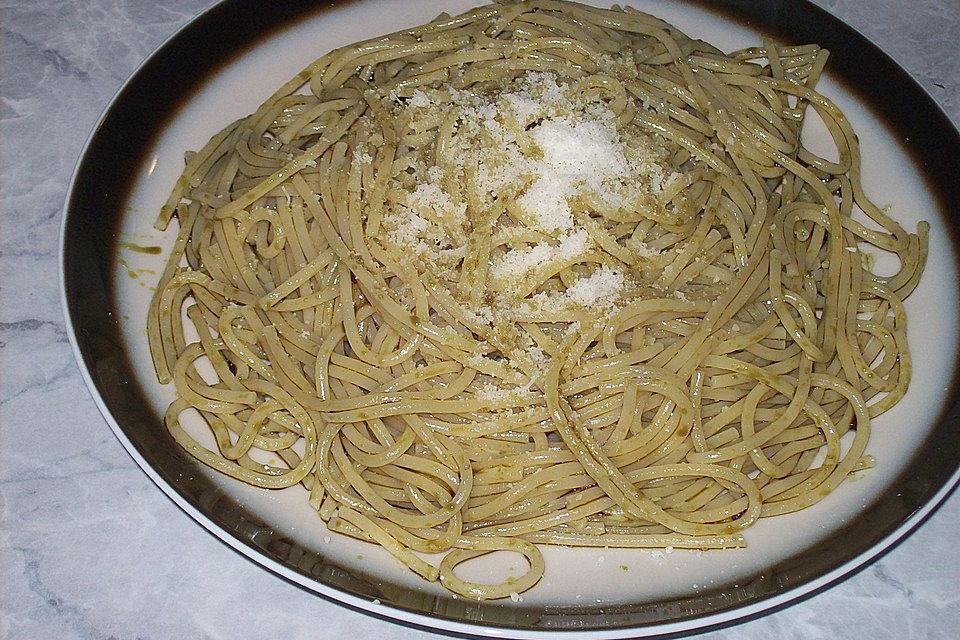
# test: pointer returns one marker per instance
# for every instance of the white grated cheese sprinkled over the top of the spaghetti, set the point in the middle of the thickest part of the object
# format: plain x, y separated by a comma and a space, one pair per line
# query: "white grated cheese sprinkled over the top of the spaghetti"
527, 166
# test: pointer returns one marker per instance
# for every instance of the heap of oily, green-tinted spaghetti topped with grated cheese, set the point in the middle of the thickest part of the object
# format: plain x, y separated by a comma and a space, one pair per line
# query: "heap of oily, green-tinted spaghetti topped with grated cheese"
536, 274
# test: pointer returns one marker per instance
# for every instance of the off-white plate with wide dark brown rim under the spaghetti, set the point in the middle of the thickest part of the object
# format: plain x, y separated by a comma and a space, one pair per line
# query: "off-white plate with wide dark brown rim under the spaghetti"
238, 53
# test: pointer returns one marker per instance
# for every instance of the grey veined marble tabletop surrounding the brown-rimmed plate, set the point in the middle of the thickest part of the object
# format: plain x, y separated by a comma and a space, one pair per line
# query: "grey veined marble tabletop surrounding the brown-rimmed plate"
91, 549
